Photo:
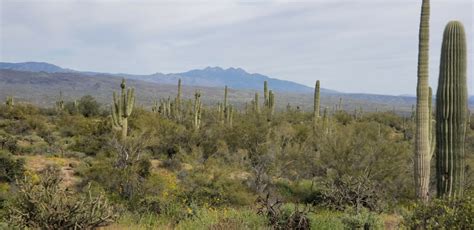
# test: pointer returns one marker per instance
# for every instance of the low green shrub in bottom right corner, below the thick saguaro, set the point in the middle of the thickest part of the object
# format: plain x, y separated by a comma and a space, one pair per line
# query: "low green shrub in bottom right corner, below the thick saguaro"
442, 214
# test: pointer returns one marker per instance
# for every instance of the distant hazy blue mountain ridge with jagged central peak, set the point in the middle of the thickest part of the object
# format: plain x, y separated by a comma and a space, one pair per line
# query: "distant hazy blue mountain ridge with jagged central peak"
235, 78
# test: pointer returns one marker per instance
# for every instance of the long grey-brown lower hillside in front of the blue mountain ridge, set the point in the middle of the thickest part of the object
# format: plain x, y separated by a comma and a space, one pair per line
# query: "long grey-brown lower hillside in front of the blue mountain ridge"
43, 88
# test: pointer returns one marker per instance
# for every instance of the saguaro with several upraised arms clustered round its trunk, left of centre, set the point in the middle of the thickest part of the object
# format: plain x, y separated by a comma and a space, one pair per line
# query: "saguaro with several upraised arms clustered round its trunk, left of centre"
122, 109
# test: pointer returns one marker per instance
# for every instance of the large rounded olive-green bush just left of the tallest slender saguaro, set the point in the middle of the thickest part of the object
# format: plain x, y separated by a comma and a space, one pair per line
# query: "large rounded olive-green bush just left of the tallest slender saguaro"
361, 150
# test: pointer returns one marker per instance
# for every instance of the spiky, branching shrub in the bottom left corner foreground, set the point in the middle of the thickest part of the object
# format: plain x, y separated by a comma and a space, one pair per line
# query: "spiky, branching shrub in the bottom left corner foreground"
44, 204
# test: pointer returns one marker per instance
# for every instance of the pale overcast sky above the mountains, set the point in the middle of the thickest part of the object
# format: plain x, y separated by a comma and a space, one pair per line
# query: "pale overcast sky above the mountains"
363, 46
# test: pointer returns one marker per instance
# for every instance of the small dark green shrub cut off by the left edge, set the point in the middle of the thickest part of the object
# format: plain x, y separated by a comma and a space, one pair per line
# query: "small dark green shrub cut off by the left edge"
10, 168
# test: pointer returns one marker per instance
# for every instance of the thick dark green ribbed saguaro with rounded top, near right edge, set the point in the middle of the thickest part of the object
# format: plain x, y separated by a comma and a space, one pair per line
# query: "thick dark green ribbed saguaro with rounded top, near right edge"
451, 112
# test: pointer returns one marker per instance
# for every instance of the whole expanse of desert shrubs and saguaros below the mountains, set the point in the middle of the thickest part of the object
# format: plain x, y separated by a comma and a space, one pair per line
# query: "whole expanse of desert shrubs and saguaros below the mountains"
189, 164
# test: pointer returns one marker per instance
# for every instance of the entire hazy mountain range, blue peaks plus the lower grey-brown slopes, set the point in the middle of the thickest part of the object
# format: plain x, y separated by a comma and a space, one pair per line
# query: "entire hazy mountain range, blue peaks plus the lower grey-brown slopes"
40, 83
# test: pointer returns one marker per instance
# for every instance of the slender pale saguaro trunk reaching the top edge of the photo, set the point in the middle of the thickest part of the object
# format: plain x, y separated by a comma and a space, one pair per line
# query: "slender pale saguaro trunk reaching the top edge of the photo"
422, 136
